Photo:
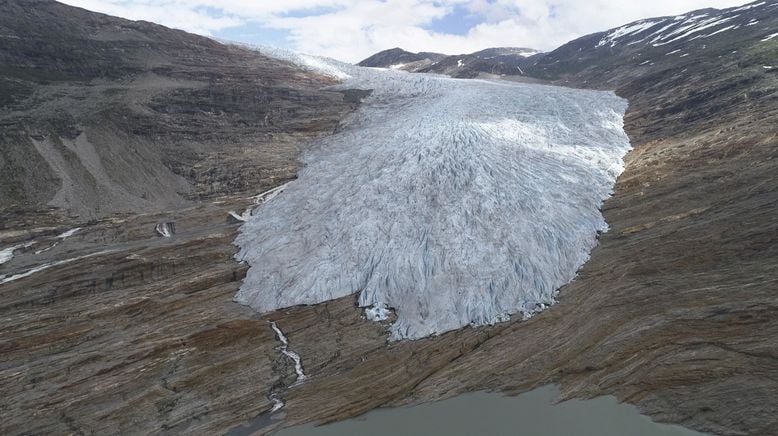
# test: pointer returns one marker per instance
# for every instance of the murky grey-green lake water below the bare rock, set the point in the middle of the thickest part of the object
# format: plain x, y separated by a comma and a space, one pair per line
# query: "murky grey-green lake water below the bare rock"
532, 414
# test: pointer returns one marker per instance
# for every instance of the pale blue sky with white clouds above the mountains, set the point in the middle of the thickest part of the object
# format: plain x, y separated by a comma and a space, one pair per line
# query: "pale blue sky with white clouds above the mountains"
351, 30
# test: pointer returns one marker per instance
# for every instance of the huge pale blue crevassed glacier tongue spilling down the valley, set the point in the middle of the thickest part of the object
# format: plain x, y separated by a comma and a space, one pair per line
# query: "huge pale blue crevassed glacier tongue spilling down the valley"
454, 202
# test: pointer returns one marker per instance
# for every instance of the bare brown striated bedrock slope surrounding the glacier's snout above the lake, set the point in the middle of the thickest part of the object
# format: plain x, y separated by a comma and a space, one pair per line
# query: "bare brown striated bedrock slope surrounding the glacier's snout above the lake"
676, 310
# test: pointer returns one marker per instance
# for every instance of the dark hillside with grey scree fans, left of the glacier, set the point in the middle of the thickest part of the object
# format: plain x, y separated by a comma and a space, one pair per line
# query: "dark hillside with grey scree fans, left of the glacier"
102, 115
